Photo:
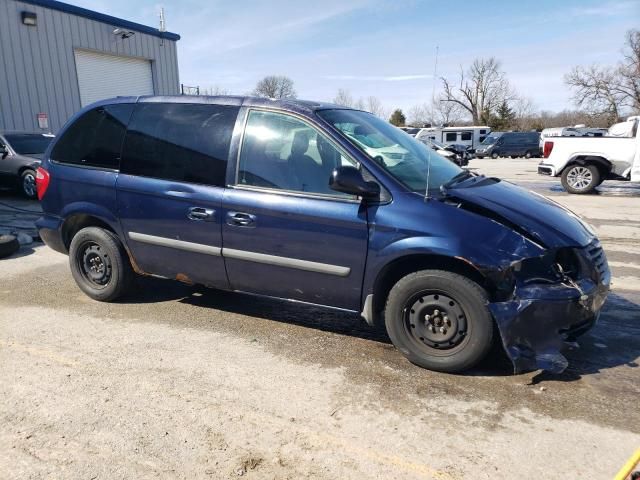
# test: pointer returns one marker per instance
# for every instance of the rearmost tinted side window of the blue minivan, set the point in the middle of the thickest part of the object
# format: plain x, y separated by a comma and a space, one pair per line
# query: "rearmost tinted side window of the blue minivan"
95, 139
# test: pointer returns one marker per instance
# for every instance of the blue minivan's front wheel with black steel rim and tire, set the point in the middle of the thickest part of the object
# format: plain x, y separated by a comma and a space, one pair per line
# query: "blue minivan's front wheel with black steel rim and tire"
439, 320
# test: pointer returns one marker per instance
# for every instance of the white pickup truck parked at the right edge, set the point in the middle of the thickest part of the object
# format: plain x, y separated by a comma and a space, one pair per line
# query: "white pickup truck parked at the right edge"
584, 163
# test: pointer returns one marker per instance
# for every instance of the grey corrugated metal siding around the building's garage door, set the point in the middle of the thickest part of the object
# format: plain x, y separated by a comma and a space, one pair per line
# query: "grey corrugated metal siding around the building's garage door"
37, 65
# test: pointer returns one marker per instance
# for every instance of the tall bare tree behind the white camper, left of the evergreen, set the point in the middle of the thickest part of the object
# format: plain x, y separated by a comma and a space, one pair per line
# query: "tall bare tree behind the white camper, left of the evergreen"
481, 89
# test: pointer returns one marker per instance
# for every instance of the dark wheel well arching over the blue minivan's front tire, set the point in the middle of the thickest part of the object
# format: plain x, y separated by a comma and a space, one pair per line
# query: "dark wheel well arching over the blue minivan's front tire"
401, 267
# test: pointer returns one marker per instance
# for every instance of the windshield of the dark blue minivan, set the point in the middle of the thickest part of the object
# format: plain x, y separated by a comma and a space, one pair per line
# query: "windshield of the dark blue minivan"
408, 159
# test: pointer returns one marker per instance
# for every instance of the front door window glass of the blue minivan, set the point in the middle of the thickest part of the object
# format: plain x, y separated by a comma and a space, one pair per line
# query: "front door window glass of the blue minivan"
280, 151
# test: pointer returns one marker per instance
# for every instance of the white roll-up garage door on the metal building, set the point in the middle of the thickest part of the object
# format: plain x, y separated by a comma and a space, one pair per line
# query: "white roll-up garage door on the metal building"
103, 76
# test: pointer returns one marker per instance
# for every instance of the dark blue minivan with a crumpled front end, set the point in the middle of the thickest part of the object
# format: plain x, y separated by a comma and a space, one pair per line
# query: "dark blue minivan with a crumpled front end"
276, 198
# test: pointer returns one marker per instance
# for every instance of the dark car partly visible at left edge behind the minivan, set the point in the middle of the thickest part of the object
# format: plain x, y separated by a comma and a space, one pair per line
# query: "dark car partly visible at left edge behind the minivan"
20, 155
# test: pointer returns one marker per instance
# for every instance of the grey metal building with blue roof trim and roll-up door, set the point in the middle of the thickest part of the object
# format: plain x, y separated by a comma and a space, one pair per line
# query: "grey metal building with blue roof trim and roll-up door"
56, 58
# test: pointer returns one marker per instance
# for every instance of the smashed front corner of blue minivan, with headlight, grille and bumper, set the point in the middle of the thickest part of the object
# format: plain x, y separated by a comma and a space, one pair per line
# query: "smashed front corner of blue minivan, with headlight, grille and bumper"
544, 303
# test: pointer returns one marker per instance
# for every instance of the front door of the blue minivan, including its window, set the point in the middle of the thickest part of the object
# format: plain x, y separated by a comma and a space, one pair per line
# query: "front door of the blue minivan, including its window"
286, 233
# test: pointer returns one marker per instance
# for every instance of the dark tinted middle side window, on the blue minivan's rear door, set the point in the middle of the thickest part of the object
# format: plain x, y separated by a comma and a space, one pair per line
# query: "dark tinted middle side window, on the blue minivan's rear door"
181, 142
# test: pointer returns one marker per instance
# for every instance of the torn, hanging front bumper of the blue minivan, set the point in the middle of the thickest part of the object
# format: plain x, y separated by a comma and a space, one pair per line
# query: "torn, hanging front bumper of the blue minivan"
541, 319
